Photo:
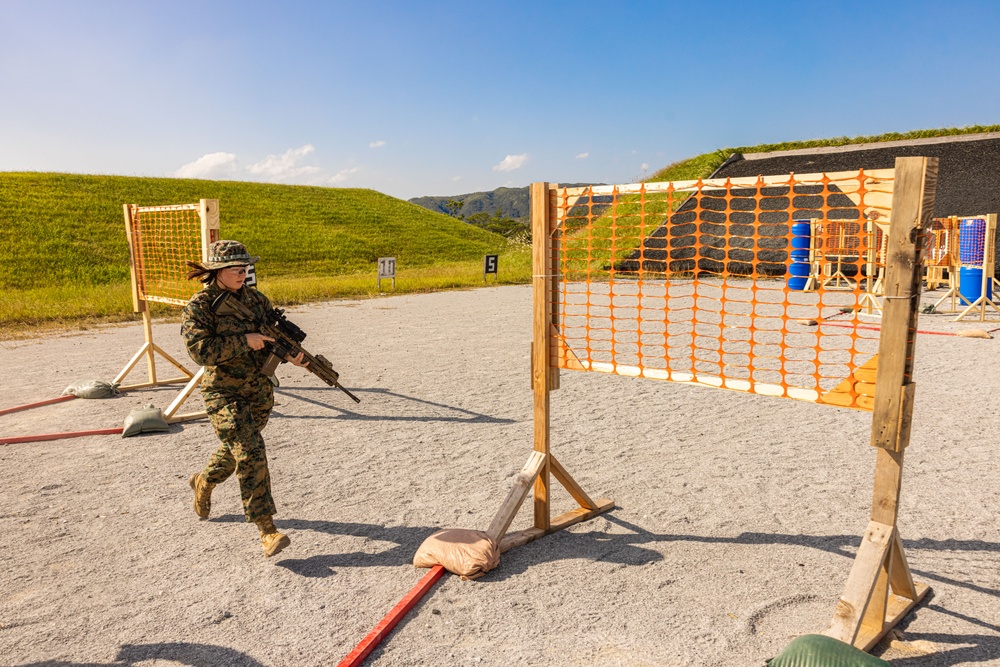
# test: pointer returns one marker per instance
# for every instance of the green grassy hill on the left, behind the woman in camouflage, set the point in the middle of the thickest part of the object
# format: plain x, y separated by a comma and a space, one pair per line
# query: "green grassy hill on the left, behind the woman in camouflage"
64, 254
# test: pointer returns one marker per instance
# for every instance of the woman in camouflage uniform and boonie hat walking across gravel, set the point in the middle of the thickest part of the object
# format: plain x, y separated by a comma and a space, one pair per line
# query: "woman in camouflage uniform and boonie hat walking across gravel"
238, 397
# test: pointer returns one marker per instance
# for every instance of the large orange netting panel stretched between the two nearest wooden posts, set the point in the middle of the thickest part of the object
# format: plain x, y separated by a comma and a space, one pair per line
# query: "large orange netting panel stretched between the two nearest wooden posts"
689, 282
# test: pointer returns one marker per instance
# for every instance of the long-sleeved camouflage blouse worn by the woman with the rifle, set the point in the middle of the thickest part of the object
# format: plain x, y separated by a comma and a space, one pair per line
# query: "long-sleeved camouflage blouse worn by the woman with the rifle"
219, 342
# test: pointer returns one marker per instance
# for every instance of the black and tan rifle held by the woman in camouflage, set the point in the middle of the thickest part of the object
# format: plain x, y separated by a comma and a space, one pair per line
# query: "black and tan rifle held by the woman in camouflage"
287, 340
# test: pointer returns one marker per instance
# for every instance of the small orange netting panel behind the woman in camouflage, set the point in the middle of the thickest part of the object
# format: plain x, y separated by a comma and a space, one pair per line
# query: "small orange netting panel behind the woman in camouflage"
163, 239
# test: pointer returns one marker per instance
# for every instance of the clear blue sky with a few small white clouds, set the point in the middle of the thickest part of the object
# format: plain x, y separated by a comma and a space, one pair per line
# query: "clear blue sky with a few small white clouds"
438, 98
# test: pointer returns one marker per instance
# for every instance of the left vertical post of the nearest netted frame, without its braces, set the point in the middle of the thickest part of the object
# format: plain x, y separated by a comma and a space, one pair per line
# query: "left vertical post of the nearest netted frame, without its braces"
541, 263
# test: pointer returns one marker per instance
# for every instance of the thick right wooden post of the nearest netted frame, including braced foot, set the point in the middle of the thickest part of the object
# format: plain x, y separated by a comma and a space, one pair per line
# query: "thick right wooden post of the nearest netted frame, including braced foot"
880, 590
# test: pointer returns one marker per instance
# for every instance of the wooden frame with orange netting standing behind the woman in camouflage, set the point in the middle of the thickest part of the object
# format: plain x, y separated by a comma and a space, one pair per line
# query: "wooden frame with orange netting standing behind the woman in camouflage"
157, 270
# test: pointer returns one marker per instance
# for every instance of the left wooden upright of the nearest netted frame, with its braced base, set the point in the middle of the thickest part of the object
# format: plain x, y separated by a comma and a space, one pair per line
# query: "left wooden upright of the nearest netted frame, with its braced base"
544, 378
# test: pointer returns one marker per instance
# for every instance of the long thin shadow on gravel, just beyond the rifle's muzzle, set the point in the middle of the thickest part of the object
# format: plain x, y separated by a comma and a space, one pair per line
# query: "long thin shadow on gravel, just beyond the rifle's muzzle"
394, 407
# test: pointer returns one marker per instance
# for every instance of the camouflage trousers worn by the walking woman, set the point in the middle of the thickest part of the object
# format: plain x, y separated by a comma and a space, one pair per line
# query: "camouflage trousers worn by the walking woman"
238, 420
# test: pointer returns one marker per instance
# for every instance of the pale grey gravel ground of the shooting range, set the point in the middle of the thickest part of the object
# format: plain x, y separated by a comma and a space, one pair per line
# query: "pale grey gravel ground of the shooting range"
736, 523
